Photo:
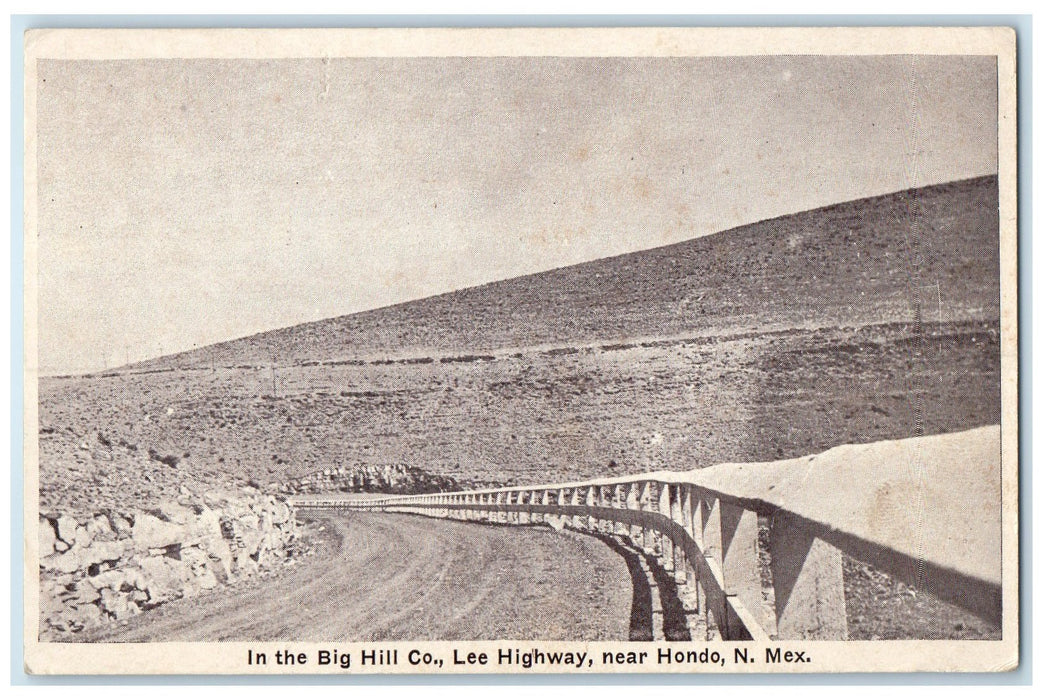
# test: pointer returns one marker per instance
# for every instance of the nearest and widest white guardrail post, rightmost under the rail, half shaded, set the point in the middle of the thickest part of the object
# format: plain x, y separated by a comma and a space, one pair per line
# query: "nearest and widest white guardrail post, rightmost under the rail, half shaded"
809, 578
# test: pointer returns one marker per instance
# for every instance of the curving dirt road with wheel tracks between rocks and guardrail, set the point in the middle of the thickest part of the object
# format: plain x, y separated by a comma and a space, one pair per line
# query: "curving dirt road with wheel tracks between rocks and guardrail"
381, 576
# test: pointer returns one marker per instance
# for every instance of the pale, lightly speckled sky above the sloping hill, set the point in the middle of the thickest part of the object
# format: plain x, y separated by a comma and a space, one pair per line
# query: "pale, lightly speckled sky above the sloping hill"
183, 203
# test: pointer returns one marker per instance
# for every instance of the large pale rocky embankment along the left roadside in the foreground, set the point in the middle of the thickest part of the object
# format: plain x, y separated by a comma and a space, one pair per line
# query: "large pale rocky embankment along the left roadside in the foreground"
108, 568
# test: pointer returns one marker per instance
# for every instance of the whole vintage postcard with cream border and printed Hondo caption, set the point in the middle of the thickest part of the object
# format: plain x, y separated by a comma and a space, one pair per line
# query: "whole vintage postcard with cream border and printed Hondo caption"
521, 351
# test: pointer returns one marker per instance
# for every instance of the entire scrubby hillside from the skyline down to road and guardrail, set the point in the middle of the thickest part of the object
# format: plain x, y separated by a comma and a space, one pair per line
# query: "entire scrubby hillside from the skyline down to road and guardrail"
790, 337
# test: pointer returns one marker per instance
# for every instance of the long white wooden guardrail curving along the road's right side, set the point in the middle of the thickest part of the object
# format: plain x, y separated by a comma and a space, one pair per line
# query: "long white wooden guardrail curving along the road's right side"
925, 511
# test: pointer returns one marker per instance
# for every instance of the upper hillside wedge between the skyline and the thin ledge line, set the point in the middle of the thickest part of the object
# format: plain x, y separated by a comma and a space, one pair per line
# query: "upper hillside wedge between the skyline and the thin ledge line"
850, 264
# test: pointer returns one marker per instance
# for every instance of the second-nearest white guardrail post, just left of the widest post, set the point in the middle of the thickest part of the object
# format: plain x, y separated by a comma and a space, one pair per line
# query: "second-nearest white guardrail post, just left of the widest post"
742, 574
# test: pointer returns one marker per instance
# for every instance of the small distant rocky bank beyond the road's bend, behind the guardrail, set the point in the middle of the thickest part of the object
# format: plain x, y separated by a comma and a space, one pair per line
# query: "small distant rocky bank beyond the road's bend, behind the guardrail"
373, 478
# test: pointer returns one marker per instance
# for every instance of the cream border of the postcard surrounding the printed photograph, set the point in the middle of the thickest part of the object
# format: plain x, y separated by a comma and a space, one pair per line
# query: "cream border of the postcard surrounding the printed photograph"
829, 657
